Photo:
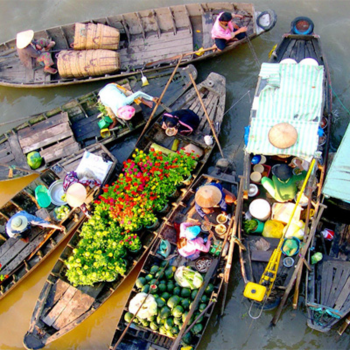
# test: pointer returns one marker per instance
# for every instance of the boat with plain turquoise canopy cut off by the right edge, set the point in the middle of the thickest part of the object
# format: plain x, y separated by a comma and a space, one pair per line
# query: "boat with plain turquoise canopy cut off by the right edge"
328, 283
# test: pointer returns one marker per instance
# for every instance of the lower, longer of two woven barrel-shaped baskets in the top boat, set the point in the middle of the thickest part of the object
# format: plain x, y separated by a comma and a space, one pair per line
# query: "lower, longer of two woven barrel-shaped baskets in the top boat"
79, 64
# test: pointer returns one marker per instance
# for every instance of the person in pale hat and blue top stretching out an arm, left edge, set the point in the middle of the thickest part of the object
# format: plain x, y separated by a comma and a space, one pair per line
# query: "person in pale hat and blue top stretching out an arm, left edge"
19, 225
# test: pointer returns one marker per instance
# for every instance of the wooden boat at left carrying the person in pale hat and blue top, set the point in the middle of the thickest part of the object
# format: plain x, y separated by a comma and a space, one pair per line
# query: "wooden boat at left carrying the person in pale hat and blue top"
18, 258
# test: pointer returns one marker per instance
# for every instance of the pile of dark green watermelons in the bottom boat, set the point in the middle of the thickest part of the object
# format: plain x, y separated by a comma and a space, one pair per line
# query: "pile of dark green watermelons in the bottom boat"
173, 303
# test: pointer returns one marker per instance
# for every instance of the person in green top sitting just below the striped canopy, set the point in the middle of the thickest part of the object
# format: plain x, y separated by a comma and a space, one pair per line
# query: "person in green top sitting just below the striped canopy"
284, 184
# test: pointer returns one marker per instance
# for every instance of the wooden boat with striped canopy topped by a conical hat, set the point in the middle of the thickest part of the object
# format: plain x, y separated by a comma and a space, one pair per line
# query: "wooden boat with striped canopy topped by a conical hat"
259, 249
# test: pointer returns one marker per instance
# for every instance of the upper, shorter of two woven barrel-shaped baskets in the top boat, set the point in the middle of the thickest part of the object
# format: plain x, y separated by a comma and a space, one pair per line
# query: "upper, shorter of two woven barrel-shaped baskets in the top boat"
92, 36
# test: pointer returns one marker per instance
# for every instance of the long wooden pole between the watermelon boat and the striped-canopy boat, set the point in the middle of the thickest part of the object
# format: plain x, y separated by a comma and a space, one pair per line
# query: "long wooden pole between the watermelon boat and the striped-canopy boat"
232, 245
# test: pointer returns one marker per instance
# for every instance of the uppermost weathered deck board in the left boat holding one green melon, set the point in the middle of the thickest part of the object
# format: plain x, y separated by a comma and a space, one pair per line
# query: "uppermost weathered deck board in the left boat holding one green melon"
59, 132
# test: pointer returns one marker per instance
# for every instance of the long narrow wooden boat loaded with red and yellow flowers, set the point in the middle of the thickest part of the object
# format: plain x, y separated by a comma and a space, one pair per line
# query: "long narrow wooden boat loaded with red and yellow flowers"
61, 306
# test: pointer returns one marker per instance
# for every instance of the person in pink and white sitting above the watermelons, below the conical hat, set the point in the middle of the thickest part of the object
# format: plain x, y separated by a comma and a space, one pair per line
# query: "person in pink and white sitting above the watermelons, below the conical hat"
189, 245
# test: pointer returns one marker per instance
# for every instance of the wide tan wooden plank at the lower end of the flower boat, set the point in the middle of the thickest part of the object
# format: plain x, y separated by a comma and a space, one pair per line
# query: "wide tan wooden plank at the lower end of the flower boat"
78, 305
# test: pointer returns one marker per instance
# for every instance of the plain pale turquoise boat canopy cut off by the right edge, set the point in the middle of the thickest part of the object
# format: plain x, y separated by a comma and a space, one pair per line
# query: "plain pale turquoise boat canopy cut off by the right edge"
337, 184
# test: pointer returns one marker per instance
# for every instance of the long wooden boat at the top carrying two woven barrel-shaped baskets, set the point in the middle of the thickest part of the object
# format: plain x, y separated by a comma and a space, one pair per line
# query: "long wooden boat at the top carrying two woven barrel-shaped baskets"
148, 39
